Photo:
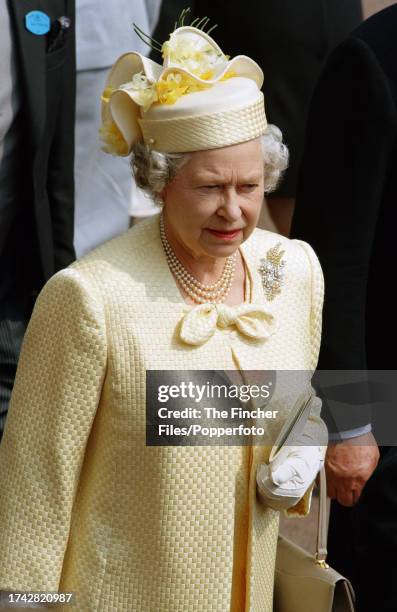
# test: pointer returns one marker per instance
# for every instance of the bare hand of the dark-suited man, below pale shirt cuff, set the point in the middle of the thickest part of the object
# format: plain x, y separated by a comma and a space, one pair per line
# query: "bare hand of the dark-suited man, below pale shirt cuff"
349, 464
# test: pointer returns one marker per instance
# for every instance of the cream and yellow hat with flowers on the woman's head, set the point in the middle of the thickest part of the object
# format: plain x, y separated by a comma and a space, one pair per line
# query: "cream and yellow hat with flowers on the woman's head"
198, 99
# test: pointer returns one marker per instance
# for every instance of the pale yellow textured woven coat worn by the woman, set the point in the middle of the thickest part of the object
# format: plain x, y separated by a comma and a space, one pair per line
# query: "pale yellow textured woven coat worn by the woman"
85, 506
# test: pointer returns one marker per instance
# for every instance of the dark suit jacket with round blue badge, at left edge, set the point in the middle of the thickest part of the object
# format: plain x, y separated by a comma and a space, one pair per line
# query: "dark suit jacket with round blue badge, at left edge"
41, 241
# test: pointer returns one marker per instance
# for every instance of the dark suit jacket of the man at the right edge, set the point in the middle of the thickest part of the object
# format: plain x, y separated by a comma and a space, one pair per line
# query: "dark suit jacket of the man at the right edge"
347, 195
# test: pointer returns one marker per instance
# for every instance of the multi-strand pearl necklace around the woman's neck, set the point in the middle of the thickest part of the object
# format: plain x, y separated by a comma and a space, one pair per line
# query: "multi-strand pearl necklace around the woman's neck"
197, 291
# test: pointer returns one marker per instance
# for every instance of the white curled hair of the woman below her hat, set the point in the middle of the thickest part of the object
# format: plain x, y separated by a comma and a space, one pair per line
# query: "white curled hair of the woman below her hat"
154, 170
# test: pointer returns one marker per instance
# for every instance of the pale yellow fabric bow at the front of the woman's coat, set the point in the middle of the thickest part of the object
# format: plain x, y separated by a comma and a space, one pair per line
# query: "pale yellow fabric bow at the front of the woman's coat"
201, 322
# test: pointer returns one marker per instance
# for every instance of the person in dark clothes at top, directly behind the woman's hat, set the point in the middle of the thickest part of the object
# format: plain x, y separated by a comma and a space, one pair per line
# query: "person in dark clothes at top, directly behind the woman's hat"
291, 41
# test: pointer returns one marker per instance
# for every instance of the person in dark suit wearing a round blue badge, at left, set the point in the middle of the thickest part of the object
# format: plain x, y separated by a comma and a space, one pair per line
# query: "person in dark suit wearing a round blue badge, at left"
37, 112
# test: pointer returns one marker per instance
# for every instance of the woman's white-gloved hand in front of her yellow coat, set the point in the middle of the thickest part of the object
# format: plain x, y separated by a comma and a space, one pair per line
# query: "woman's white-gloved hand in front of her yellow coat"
283, 482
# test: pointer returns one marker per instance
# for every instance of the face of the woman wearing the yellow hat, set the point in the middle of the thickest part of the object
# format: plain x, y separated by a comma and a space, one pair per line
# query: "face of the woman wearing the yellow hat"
213, 203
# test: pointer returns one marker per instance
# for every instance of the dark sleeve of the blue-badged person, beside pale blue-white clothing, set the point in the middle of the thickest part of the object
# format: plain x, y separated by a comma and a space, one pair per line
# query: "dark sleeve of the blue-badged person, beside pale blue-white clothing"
61, 101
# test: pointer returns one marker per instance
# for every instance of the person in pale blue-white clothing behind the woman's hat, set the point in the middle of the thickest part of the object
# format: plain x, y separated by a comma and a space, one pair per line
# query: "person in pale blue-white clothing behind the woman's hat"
105, 195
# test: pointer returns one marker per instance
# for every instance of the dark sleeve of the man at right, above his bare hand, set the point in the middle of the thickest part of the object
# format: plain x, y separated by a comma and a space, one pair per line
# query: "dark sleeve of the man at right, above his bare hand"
349, 139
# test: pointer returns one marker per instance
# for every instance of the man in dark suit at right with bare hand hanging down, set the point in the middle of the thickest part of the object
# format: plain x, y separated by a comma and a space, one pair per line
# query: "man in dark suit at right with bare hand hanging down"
346, 208
